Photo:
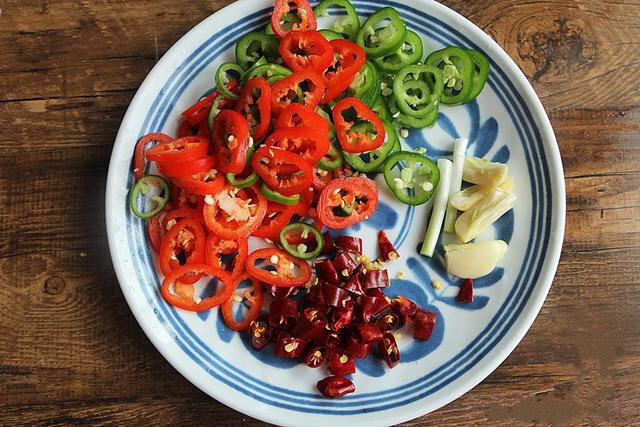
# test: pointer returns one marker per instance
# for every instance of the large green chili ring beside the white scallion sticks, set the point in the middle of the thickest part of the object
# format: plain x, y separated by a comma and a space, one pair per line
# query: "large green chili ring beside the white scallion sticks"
411, 177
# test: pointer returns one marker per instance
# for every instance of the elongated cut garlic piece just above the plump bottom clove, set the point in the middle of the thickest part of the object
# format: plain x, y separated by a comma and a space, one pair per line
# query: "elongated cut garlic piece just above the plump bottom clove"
484, 213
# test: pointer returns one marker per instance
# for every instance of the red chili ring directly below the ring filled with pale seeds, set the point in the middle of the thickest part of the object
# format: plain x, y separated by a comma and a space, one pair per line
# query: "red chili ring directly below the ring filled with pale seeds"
219, 250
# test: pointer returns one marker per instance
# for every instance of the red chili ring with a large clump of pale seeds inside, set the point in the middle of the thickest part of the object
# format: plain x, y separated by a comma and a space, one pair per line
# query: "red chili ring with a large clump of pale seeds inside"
235, 213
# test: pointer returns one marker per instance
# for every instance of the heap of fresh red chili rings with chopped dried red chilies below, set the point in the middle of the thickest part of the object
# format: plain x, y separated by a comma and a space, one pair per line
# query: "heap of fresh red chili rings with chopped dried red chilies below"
248, 170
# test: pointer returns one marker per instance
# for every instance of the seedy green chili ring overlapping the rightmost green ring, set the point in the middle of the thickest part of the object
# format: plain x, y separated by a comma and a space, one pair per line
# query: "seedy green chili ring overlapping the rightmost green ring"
457, 72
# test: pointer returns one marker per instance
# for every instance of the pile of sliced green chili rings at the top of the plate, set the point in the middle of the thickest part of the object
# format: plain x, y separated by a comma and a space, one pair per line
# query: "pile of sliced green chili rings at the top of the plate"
397, 82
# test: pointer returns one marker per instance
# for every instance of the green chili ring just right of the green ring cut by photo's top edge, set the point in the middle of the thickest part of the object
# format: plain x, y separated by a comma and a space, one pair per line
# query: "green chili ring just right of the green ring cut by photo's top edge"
382, 33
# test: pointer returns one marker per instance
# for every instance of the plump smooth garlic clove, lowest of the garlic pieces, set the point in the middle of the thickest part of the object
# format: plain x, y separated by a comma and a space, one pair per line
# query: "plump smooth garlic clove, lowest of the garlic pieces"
474, 260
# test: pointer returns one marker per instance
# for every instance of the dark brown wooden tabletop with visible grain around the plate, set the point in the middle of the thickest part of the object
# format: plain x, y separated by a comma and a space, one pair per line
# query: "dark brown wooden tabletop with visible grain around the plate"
70, 350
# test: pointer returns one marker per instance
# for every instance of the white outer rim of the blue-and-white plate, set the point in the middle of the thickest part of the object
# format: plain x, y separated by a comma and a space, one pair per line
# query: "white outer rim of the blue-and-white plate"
538, 296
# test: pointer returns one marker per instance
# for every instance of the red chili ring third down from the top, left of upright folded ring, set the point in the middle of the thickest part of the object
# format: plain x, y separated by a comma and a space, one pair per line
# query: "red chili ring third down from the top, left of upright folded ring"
302, 87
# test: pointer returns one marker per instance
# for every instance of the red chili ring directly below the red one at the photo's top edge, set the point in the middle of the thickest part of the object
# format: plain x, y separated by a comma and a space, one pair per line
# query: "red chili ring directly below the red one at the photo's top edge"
303, 50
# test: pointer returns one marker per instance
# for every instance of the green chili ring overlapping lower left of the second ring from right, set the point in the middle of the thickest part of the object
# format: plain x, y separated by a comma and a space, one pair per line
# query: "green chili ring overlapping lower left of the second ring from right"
418, 89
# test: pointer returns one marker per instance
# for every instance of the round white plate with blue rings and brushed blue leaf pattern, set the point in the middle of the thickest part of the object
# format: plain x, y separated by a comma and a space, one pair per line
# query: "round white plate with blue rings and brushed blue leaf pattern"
507, 123
